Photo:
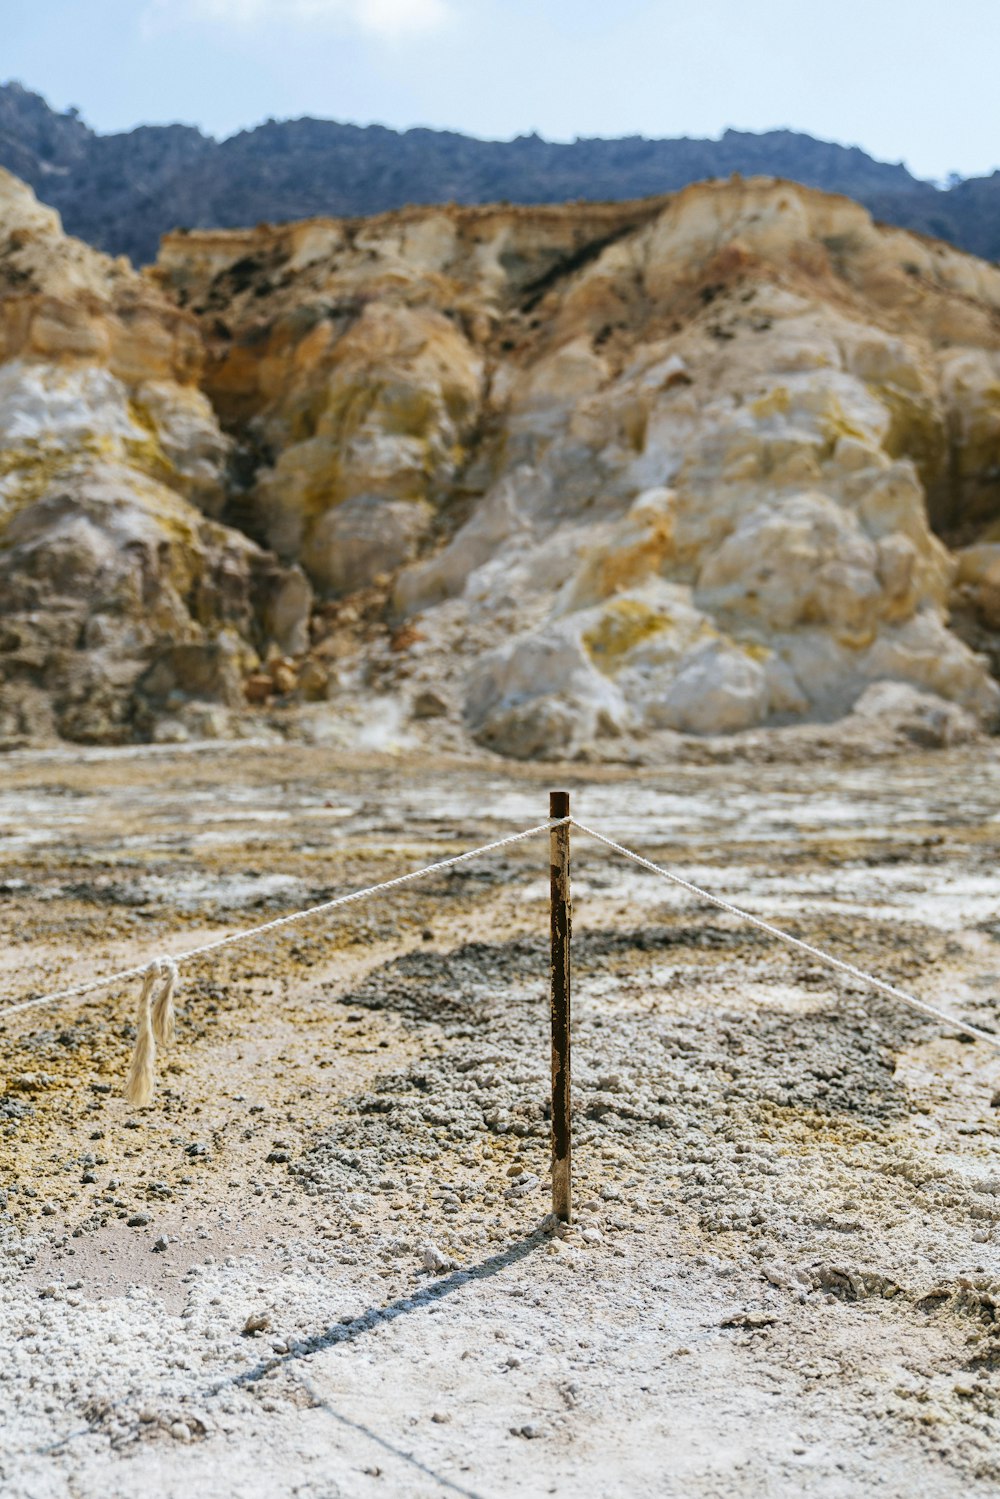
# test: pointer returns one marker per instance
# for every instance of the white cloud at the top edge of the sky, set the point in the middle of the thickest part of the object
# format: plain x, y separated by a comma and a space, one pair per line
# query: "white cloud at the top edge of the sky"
383, 19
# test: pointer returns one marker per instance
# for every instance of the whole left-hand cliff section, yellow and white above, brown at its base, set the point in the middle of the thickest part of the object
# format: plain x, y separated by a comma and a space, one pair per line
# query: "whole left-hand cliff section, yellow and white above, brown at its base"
121, 602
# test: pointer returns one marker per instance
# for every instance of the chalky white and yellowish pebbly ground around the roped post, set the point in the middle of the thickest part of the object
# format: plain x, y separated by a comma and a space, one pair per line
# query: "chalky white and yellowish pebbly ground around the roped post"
314, 1266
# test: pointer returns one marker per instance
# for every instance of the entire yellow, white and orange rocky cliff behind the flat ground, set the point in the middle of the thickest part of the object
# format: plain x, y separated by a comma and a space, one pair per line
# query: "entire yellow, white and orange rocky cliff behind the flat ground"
564, 480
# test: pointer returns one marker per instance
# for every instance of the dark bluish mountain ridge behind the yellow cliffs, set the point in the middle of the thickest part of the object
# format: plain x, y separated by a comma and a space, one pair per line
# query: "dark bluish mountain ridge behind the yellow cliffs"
122, 193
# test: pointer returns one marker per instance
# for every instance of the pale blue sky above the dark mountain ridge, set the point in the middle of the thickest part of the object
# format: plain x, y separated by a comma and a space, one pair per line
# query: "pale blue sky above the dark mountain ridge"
908, 80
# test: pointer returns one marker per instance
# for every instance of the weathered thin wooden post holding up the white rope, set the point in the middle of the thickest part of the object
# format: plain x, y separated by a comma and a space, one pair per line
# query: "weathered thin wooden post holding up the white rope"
561, 936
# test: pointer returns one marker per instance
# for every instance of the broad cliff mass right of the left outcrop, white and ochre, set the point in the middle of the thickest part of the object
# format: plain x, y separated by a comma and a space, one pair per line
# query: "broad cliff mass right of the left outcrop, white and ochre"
636, 468
